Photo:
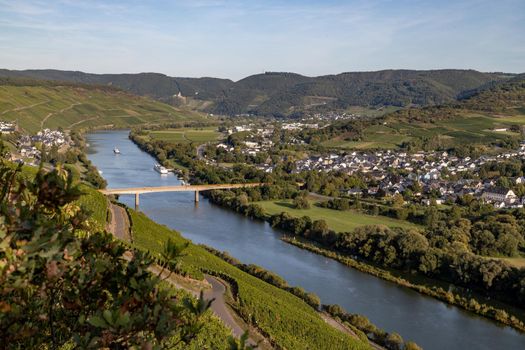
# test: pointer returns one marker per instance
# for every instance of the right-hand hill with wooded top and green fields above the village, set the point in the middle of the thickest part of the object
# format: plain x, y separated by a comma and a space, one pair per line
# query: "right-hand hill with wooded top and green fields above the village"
492, 115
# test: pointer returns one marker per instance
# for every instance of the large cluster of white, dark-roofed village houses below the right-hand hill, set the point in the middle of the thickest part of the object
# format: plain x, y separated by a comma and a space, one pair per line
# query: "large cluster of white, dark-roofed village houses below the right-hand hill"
394, 172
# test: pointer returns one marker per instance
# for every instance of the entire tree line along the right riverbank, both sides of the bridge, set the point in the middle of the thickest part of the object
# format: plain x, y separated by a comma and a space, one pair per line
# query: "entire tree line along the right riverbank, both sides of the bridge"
477, 279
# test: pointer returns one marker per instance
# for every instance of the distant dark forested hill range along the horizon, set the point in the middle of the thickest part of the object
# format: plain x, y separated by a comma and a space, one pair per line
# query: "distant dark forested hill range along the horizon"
287, 93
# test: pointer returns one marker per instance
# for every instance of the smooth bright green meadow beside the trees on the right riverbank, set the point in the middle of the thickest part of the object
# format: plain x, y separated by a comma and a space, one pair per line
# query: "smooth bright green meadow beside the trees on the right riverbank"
337, 220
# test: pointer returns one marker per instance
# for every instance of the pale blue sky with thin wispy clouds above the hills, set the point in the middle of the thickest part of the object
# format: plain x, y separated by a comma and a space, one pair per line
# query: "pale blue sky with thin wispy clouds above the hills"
234, 39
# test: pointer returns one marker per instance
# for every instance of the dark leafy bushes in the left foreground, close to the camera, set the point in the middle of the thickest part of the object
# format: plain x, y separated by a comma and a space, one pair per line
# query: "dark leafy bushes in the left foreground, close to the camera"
63, 282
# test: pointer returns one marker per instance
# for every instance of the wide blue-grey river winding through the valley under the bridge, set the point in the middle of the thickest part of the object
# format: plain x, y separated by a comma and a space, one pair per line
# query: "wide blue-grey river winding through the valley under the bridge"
430, 323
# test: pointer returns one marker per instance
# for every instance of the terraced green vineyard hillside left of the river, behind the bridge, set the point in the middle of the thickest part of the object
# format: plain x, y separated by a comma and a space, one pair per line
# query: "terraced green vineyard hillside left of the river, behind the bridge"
37, 107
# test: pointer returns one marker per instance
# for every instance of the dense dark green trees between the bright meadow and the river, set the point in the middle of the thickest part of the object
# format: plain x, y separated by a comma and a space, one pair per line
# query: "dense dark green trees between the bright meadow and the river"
412, 251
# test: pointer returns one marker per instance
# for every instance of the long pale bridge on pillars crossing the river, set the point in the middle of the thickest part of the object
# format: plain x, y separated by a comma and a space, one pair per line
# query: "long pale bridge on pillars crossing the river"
181, 188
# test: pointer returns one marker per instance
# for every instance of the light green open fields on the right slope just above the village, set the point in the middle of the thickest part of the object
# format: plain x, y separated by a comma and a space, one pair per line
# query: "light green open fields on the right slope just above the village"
464, 129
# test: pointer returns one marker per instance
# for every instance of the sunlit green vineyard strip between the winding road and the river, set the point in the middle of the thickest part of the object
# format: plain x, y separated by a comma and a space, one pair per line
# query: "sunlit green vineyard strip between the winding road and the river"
289, 321
